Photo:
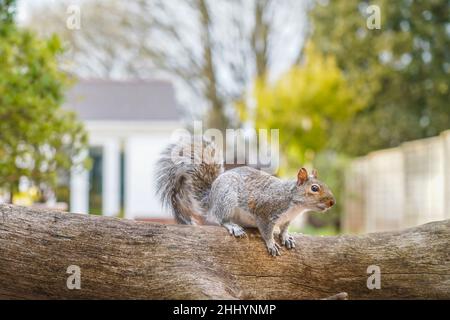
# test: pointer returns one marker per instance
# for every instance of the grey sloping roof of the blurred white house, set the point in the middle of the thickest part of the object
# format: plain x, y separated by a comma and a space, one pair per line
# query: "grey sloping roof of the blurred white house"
136, 100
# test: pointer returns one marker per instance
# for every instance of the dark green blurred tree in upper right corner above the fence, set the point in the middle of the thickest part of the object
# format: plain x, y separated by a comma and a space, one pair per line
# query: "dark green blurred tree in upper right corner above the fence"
402, 69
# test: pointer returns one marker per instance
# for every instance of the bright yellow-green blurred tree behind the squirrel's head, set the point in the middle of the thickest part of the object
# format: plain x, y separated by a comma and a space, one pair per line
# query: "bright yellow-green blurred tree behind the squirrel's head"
307, 103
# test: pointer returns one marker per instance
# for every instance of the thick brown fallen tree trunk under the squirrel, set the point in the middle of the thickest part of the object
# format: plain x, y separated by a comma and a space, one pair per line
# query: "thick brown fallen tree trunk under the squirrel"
138, 260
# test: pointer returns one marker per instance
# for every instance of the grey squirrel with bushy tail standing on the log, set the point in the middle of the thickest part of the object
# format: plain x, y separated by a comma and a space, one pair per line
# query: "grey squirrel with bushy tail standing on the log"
191, 181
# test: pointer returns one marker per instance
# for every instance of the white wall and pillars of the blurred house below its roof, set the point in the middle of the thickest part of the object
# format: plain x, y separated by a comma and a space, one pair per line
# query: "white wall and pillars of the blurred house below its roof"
142, 143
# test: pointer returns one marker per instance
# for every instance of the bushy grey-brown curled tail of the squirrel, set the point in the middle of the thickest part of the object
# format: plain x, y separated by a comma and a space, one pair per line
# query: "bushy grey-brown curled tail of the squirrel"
184, 175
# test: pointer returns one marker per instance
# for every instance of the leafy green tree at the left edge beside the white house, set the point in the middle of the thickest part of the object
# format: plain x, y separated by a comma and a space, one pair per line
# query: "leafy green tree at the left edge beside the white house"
38, 139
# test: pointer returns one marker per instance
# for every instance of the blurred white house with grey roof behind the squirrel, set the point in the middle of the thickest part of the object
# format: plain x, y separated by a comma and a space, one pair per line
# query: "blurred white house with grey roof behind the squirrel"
128, 122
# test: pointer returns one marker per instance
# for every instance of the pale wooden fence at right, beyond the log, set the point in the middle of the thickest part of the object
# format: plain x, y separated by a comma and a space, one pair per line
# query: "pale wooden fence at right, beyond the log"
399, 187
